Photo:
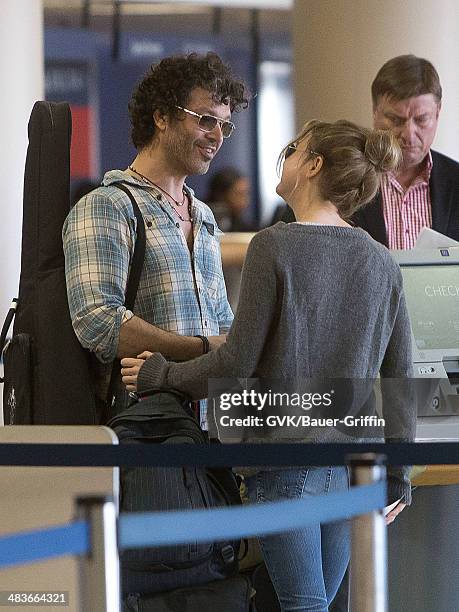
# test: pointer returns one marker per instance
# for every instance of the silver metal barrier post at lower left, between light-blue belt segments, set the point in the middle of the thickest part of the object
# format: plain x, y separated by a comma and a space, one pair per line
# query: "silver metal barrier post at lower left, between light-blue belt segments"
99, 569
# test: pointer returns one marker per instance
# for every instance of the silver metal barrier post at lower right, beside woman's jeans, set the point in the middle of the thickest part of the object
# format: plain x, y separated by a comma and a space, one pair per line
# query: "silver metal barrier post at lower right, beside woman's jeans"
368, 572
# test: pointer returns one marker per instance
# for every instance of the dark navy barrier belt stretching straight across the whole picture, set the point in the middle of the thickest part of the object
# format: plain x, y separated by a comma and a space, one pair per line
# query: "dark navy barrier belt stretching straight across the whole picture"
435, 453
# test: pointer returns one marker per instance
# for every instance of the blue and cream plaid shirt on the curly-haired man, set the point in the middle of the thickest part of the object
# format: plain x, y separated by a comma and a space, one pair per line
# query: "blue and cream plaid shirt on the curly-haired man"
179, 291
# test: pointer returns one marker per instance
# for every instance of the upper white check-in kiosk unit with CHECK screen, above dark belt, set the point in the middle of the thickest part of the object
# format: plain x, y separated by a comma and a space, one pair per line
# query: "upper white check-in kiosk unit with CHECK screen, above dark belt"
431, 285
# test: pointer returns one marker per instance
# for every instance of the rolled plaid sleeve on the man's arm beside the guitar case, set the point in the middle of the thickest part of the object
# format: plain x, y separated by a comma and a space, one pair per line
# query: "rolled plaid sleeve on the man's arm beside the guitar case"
97, 244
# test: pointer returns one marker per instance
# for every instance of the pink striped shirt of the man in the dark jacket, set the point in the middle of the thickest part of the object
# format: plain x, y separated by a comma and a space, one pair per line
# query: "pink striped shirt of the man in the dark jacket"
406, 212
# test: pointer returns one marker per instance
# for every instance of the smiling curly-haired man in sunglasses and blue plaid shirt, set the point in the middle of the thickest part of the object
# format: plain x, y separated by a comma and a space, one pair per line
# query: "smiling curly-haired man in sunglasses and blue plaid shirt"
180, 114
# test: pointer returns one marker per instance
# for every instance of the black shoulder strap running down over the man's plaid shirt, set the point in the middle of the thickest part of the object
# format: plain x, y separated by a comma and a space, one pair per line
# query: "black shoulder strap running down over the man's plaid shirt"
131, 289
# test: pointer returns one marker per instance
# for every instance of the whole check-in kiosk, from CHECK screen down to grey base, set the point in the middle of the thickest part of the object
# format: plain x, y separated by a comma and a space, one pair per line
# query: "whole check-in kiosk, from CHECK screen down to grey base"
424, 540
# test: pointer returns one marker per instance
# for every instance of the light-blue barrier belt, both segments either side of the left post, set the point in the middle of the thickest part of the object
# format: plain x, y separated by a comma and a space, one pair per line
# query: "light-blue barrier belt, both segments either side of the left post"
139, 530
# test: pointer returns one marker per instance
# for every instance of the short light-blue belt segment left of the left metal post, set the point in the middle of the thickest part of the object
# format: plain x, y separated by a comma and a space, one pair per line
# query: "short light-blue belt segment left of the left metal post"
41, 544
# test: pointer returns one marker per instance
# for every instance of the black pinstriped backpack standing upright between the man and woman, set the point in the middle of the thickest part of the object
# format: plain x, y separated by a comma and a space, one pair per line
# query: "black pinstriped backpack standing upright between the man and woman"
165, 417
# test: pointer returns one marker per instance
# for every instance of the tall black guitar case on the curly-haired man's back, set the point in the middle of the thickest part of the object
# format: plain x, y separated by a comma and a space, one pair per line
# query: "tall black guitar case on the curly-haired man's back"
46, 371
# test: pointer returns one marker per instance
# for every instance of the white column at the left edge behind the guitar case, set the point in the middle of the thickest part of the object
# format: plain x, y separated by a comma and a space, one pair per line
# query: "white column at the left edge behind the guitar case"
22, 79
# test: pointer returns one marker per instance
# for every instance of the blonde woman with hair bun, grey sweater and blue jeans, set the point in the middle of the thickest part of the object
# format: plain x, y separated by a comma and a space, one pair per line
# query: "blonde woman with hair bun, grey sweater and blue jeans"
319, 299
